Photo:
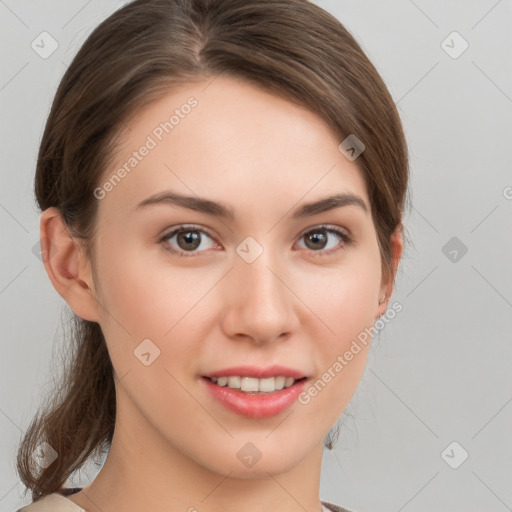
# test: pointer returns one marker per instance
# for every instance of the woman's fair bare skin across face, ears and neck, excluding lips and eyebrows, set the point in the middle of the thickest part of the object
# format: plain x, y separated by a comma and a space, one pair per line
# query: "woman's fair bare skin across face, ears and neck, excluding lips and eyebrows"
174, 447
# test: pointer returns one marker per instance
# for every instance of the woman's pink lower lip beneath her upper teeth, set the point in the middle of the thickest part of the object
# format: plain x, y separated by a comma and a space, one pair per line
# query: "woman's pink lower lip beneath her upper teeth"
262, 405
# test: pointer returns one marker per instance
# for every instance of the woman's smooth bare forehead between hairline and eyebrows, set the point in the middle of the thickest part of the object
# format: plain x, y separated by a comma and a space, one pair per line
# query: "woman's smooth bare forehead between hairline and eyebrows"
227, 139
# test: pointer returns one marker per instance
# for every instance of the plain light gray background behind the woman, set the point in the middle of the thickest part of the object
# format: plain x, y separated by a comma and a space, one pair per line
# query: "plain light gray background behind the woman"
440, 371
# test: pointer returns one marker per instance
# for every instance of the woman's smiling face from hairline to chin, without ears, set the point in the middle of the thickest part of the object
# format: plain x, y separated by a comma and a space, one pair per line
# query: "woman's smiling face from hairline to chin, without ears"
188, 290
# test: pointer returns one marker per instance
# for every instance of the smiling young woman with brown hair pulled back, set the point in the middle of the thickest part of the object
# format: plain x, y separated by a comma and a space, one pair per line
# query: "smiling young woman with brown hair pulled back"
222, 185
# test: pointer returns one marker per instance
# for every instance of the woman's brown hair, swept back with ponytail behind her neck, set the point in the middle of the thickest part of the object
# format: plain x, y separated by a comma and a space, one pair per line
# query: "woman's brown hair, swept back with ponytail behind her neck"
291, 48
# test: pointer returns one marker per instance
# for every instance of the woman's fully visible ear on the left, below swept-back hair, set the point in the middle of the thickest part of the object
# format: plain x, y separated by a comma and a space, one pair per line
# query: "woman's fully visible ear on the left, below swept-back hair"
66, 265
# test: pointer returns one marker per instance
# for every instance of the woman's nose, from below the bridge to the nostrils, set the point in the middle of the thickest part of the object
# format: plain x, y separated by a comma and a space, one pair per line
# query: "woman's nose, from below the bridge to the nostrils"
259, 304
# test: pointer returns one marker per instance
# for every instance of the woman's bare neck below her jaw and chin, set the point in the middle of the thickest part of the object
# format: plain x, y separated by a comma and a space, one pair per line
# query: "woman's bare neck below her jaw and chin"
154, 475
